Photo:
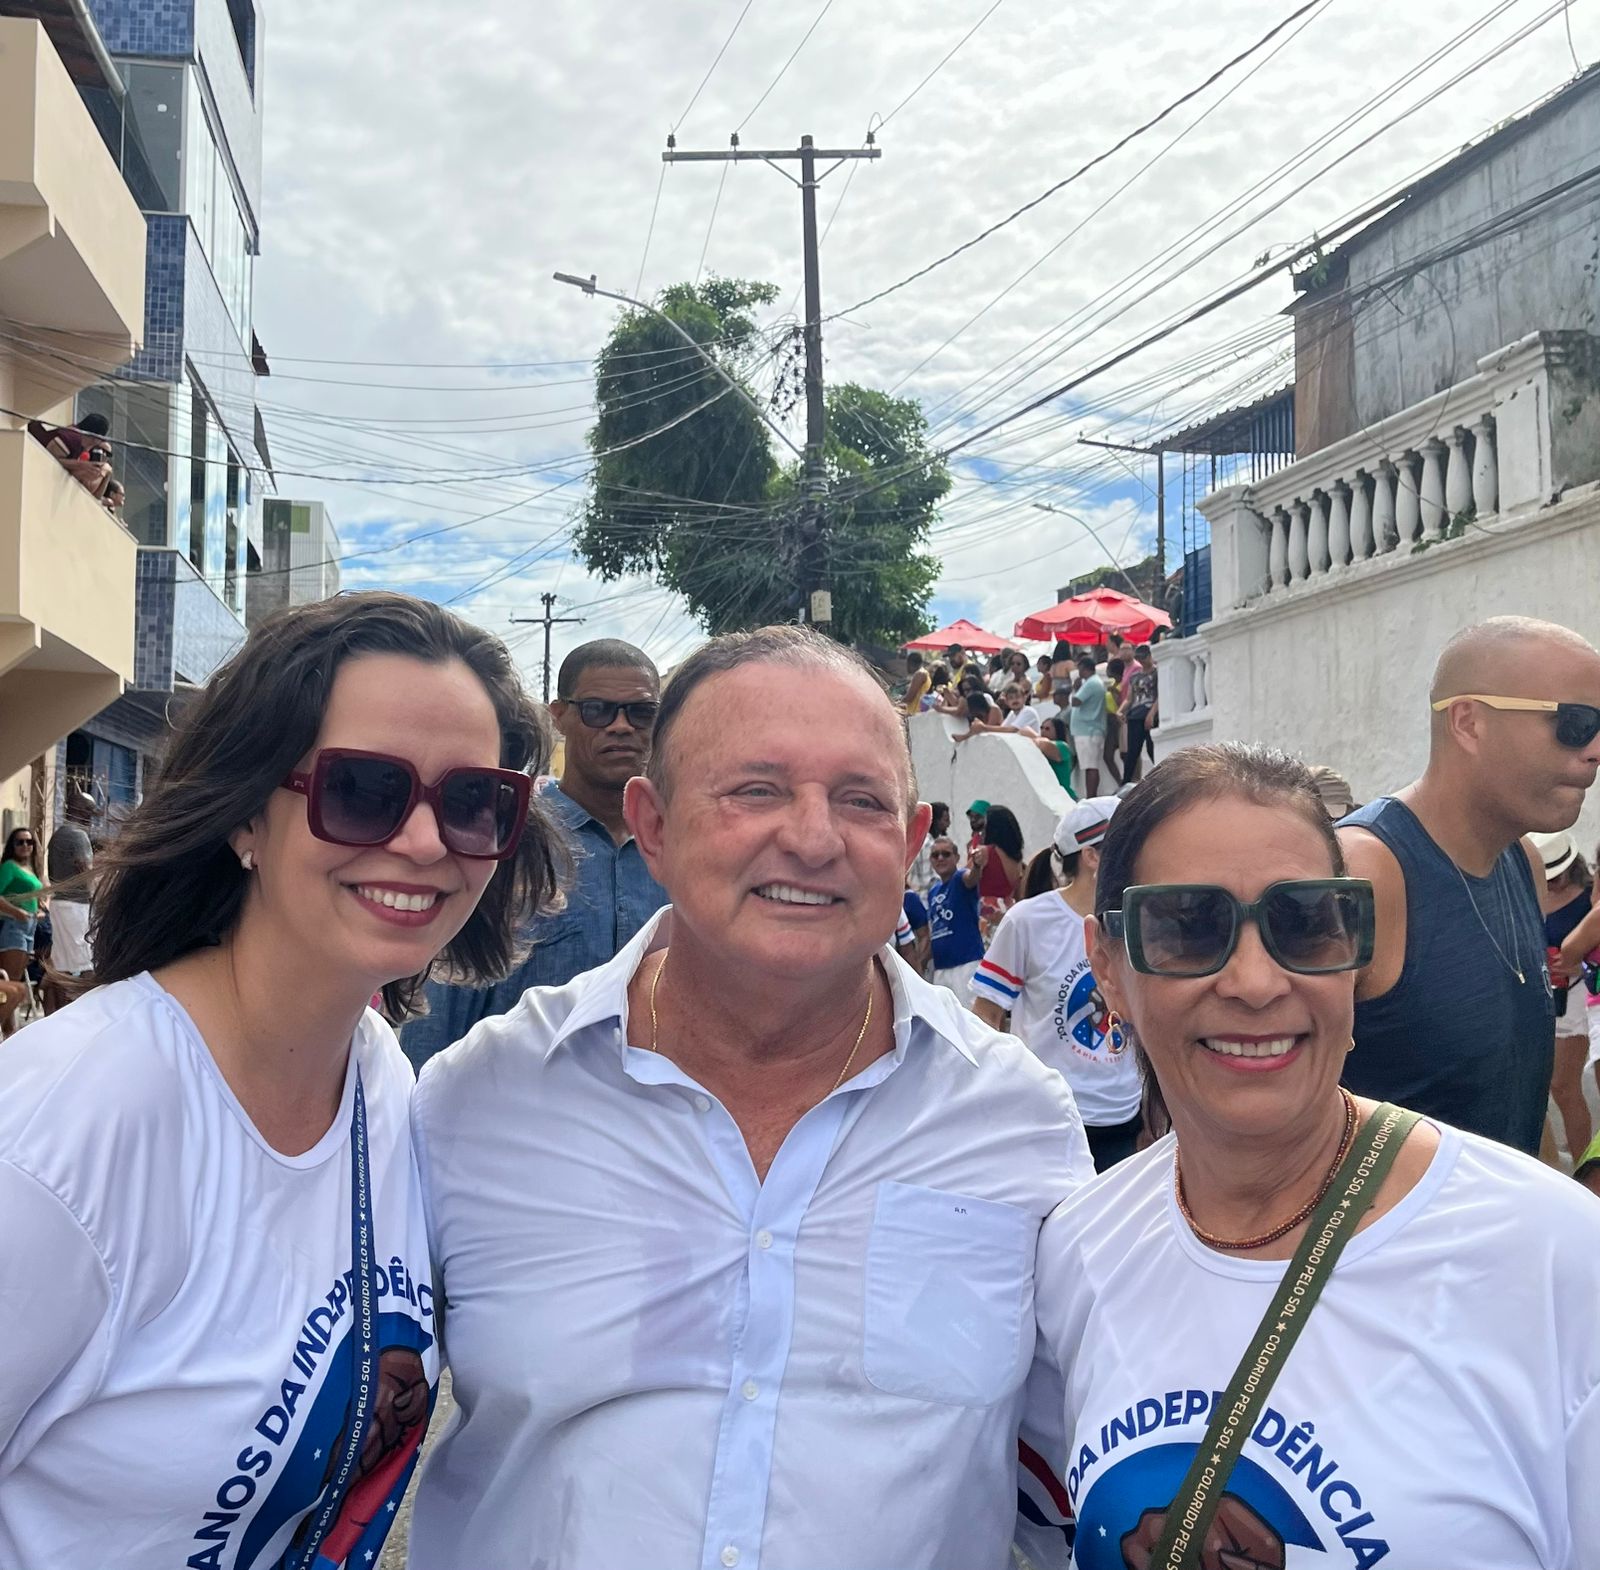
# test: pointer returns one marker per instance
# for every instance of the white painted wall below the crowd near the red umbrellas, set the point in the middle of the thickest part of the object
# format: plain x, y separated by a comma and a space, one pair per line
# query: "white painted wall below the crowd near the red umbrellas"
998, 769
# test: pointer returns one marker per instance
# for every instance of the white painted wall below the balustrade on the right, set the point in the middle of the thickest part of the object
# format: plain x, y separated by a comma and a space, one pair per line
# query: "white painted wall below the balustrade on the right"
1340, 673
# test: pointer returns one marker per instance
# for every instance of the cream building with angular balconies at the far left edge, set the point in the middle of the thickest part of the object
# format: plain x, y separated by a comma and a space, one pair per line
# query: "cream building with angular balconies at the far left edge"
73, 249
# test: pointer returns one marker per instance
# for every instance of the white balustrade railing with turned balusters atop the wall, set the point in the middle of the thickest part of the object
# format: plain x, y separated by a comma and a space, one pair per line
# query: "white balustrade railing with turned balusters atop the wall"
1521, 430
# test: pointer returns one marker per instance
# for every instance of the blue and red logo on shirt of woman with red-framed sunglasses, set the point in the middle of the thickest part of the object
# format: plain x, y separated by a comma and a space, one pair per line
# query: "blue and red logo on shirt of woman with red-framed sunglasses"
265, 1505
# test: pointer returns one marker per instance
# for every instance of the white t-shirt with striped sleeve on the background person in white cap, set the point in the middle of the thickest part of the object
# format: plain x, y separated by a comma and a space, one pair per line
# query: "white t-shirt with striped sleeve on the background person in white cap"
1039, 969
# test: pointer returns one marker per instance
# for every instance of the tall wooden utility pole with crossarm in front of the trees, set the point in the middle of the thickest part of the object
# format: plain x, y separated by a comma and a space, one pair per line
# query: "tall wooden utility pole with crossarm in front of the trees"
810, 542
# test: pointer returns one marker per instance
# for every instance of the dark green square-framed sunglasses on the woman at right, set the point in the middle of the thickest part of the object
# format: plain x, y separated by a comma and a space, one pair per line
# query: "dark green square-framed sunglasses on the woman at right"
1313, 927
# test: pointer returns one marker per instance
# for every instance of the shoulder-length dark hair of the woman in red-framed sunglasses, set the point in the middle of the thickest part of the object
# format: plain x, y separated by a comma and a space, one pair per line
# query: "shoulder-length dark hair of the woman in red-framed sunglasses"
172, 884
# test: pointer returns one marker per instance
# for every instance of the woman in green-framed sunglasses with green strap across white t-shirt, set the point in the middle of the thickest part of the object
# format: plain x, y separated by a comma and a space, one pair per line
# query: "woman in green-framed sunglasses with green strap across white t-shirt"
1233, 1400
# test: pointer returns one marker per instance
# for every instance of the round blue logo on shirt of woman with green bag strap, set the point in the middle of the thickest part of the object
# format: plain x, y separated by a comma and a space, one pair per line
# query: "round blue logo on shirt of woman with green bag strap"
1289, 1502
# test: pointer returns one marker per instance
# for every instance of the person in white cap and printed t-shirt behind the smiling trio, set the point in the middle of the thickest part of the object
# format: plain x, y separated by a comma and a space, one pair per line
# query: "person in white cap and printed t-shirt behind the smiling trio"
1038, 971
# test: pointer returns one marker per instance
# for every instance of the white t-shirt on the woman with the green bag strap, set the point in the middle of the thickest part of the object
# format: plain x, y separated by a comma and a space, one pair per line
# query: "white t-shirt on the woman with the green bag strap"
1442, 1406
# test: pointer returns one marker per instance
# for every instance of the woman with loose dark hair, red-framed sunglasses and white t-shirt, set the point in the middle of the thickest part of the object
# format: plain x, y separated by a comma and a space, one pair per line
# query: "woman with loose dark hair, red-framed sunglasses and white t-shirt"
215, 1292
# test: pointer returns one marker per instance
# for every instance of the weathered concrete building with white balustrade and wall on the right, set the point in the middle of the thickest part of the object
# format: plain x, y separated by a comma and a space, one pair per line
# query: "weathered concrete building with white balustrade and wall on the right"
1447, 463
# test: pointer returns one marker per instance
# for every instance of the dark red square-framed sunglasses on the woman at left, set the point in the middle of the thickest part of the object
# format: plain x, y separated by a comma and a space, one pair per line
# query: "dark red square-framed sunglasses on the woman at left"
364, 799
